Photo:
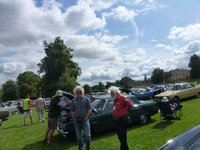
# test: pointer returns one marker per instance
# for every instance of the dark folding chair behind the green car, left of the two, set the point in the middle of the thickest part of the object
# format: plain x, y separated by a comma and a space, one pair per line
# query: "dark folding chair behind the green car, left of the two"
166, 112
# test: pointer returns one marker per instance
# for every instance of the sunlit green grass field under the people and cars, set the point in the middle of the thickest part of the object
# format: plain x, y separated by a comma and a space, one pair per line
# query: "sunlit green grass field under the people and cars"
15, 136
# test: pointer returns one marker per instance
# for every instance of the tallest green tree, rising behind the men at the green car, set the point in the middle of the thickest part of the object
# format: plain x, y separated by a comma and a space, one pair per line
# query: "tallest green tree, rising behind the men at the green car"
60, 71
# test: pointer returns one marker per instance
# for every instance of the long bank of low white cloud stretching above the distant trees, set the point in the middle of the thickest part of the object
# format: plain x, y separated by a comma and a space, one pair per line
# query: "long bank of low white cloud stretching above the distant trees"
138, 63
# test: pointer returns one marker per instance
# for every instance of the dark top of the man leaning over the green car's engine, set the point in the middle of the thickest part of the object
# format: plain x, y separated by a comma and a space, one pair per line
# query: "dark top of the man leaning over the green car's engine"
54, 109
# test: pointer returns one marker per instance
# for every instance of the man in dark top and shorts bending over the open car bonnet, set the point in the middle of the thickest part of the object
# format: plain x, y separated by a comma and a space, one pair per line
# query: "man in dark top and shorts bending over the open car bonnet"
54, 112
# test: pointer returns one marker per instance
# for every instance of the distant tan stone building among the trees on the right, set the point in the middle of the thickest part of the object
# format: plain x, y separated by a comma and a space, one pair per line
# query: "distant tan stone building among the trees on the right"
177, 75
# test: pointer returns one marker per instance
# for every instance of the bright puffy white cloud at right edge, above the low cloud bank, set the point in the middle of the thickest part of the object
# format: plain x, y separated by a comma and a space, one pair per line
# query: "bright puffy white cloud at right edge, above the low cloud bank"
188, 33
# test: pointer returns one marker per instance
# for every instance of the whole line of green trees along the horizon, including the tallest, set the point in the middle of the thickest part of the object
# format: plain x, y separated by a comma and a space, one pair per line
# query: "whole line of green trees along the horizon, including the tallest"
57, 70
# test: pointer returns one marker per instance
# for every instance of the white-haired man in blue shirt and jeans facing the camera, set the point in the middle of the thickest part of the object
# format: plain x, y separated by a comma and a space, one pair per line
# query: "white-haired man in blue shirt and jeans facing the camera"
81, 110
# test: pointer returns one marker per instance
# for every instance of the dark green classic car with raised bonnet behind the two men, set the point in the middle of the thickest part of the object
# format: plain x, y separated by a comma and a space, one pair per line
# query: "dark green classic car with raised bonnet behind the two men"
101, 119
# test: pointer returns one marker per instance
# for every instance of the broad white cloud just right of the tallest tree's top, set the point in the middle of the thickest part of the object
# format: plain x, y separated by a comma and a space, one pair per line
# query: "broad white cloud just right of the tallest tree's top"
99, 47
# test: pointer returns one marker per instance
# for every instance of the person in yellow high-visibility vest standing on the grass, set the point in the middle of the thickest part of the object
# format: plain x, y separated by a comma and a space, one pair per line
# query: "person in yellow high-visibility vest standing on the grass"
27, 109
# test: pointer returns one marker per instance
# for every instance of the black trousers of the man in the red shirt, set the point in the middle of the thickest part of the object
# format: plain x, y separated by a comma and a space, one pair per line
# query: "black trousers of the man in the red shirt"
122, 125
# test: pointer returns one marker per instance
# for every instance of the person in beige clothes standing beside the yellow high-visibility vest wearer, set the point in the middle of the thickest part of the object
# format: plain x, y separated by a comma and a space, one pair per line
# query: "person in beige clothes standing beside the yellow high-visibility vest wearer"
40, 108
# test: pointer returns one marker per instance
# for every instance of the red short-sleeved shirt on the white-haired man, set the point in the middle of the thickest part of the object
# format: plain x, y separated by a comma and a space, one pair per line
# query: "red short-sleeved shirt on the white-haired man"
120, 107
